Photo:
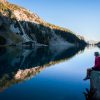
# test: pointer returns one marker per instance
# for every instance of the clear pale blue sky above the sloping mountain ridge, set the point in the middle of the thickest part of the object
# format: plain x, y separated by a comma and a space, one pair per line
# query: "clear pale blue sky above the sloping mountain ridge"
80, 16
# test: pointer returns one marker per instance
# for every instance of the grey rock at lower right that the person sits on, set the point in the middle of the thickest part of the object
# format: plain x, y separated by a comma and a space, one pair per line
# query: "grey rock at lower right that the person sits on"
94, 92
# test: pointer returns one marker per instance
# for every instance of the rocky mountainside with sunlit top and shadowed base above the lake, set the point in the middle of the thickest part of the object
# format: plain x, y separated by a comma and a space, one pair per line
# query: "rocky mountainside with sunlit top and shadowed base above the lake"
18, 25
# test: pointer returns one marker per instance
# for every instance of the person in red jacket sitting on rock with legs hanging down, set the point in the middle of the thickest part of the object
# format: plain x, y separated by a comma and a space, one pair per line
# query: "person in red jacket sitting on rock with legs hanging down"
96, 66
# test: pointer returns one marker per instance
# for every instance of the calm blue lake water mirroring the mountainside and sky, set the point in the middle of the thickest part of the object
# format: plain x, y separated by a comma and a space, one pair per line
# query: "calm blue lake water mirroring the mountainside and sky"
57, 74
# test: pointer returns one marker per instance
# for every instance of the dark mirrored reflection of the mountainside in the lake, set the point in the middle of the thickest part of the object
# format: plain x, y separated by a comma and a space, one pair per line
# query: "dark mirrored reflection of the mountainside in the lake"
17, 65
